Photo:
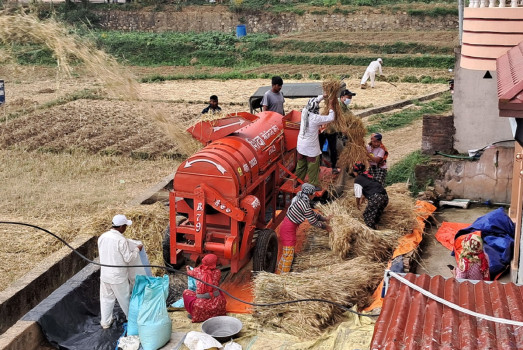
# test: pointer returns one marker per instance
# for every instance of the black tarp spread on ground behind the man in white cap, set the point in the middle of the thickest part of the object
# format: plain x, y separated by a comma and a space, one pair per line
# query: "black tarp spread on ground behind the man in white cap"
70, 316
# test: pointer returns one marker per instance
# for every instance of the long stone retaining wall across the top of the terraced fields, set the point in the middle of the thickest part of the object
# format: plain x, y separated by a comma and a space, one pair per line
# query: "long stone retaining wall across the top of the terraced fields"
219, 18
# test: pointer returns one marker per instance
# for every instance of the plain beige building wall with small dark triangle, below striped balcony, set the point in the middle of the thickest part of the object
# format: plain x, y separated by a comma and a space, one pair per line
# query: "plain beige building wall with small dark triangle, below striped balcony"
476, 113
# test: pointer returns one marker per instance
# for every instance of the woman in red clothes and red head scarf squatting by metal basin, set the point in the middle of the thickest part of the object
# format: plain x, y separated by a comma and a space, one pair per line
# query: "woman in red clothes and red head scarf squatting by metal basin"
207, 301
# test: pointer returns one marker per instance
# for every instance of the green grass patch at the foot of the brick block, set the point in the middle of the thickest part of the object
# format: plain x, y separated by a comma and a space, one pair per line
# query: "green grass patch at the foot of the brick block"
403, 171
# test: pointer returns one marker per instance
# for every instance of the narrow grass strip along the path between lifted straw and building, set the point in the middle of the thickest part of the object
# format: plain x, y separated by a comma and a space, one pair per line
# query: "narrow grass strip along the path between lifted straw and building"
384, 122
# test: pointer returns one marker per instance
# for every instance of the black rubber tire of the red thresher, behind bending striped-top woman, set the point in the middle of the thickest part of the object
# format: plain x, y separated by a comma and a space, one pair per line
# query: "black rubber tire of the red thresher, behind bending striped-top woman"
265, 255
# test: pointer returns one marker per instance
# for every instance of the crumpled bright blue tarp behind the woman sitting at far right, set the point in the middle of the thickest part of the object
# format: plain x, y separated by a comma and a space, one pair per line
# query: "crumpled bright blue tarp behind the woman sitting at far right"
497, 232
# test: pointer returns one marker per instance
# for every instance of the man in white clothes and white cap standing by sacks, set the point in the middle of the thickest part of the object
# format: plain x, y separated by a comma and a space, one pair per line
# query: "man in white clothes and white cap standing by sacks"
115, 249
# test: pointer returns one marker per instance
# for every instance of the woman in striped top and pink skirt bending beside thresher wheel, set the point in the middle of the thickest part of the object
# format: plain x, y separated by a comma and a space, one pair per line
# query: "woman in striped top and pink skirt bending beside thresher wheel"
299, 211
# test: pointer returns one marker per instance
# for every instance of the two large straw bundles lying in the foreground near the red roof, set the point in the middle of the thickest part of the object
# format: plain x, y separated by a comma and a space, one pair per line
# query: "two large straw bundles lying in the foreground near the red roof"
349, 283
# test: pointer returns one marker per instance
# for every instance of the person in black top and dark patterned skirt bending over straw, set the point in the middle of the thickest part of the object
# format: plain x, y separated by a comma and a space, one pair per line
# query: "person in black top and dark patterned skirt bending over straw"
366, 187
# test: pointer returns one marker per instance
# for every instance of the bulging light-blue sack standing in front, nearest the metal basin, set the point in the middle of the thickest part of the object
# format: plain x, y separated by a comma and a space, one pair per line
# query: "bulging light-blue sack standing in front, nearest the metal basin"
154, 324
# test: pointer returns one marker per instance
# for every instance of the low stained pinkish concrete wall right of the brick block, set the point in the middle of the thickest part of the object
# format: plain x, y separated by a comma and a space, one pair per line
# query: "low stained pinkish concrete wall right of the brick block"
489, 178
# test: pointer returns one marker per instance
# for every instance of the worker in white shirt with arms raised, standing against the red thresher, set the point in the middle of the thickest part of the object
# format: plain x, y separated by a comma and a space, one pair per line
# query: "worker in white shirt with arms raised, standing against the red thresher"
308, 146
